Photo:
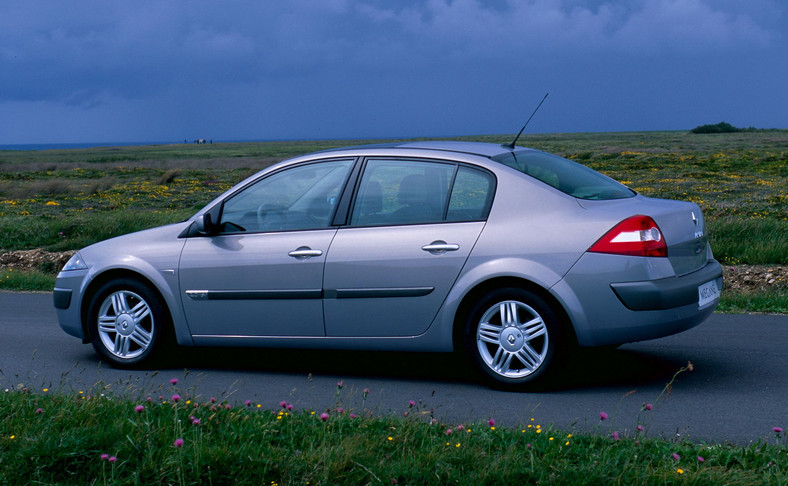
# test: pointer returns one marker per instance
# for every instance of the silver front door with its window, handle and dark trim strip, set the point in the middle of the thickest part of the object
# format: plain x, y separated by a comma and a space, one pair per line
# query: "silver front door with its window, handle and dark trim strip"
262, 275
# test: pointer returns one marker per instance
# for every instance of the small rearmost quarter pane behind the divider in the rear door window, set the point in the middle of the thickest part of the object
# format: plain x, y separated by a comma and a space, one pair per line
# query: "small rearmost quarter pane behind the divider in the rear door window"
471, 195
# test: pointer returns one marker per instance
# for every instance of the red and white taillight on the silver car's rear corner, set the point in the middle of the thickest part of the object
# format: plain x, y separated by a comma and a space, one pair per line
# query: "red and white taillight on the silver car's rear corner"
635, 236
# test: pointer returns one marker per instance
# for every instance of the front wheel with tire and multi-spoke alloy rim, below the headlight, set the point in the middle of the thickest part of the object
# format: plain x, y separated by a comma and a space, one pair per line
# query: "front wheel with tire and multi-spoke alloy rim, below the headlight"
128, 324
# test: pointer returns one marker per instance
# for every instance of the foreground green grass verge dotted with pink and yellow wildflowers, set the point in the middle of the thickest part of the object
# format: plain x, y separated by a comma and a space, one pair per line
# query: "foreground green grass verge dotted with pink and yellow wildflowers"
49, 437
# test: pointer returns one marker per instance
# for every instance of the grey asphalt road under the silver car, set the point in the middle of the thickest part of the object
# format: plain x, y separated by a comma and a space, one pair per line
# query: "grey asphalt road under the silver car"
737, 392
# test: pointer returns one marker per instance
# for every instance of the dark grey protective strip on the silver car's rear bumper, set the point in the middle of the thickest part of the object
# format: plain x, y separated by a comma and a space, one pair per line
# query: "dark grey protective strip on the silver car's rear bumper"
668, 293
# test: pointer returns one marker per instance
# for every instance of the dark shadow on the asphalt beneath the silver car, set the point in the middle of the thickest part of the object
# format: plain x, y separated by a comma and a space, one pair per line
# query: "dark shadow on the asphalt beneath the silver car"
587, 368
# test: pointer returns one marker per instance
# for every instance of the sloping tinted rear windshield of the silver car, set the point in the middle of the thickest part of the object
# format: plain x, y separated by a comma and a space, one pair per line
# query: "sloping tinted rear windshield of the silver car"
568, 177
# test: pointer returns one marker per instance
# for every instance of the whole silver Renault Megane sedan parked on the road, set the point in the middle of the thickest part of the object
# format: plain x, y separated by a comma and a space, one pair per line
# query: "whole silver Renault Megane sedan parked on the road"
511, 256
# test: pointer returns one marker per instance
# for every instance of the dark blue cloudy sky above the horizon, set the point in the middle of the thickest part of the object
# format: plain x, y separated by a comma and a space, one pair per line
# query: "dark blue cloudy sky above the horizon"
169, 70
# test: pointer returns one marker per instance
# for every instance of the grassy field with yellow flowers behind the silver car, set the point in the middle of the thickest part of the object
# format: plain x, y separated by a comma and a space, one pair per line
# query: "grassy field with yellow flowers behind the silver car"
66, 199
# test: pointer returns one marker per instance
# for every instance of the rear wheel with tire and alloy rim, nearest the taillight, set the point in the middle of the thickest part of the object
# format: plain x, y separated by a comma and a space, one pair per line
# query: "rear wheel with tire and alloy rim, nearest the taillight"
514, 339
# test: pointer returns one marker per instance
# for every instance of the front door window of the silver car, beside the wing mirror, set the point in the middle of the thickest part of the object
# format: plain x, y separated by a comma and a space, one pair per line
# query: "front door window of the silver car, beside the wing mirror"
301, 197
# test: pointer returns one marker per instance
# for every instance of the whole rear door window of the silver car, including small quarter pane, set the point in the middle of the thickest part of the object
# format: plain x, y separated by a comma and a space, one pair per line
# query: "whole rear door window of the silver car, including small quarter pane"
412, 192
